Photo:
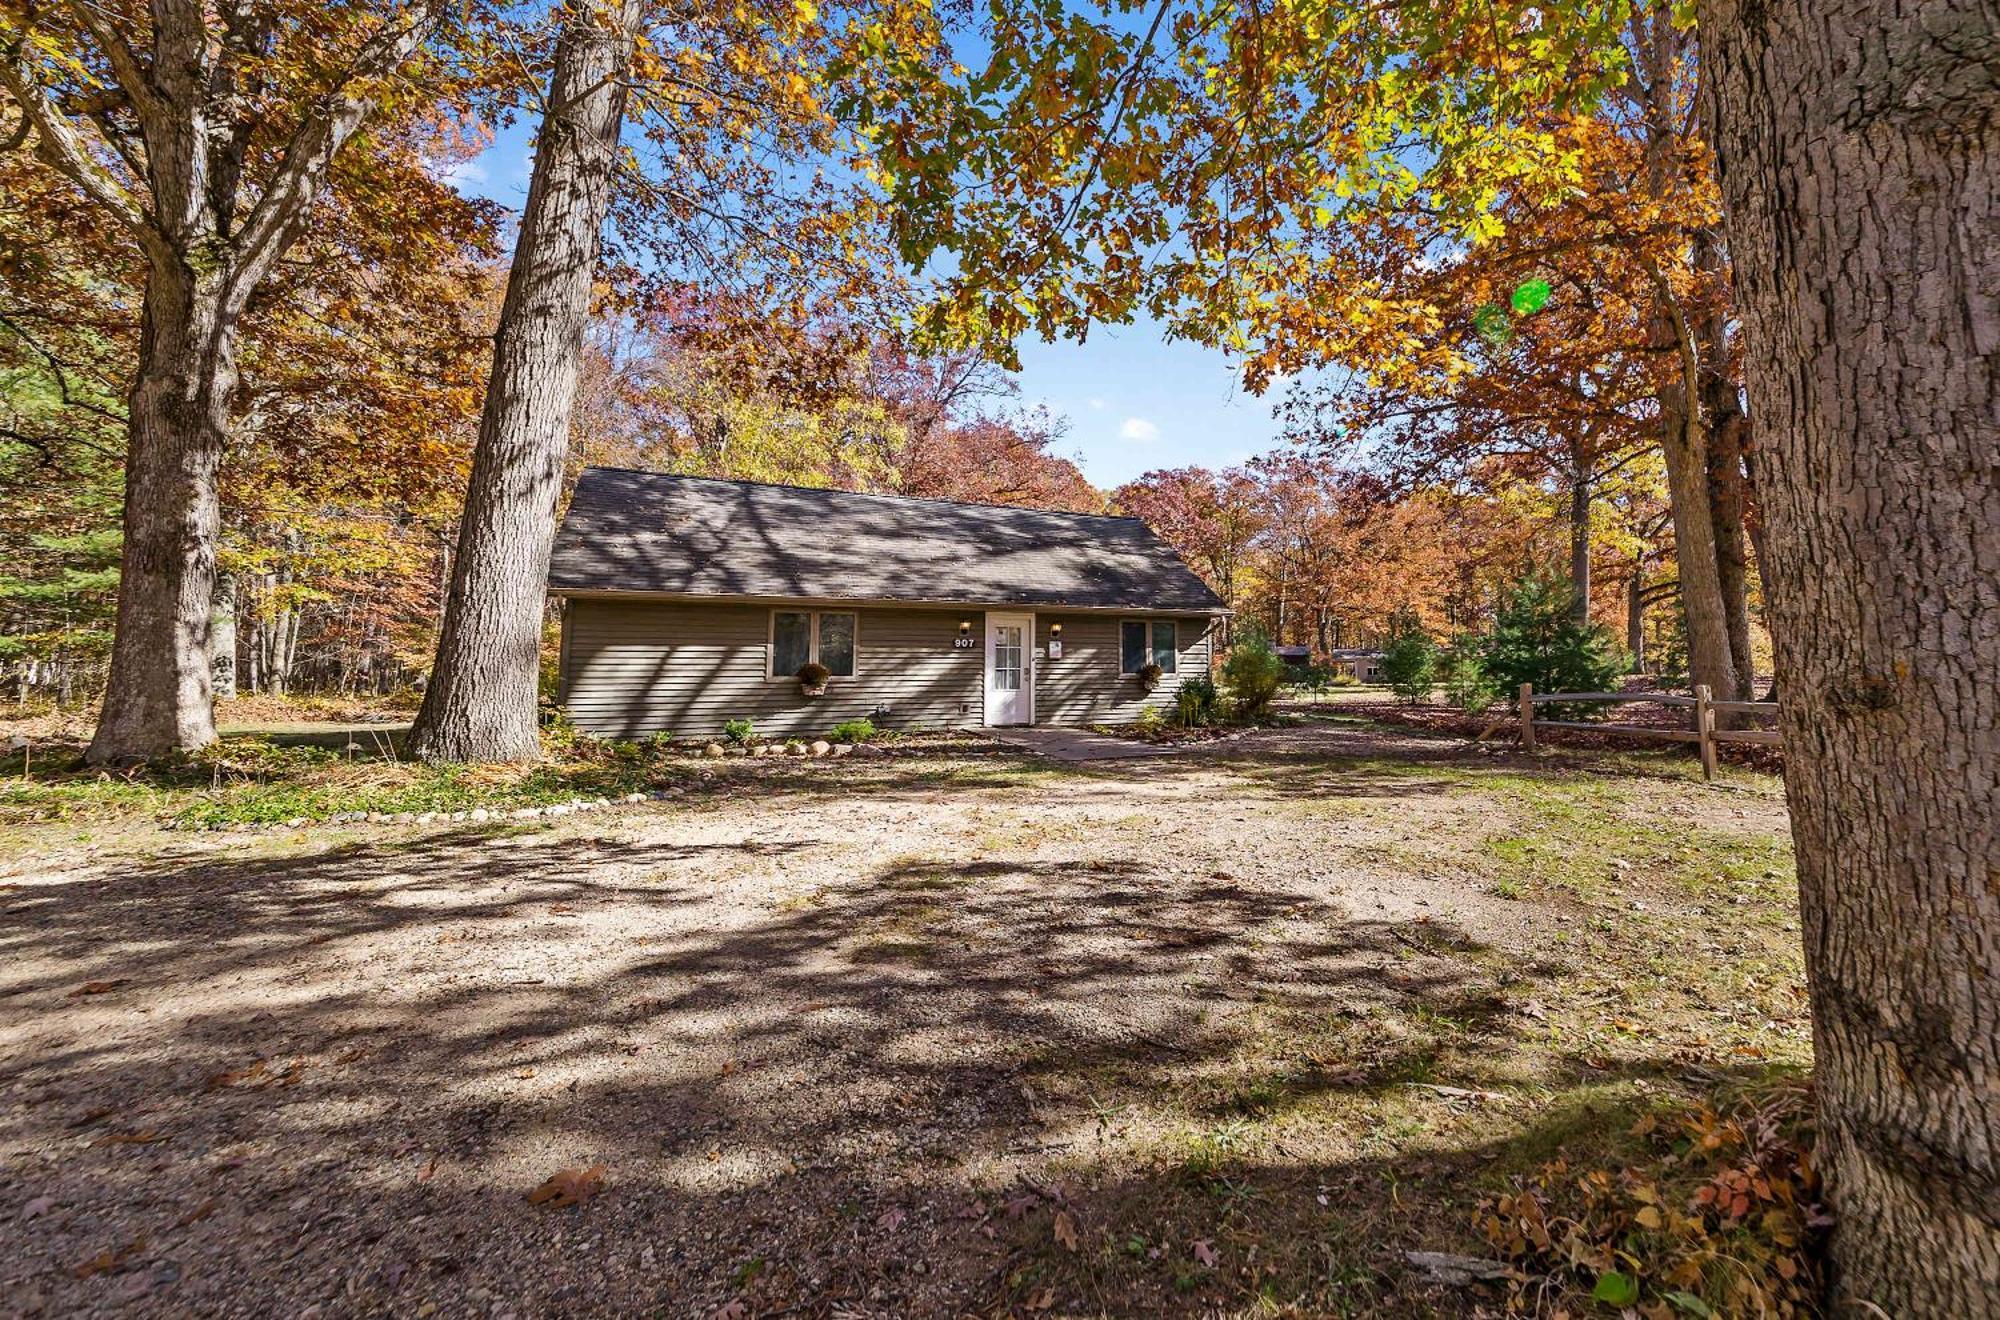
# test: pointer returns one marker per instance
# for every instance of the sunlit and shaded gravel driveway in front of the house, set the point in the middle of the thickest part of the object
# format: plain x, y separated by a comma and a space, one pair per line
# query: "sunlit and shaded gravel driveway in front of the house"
811, 1027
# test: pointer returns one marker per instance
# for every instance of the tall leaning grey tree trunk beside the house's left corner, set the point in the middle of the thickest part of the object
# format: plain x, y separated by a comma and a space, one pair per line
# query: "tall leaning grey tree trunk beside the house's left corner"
481, 697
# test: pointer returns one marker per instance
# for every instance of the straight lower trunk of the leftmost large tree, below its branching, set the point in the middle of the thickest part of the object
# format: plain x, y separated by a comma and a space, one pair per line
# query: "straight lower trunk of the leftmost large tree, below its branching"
159, 693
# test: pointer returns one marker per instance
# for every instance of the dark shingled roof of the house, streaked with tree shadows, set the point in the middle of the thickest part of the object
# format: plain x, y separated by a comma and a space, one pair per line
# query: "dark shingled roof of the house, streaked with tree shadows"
695, 537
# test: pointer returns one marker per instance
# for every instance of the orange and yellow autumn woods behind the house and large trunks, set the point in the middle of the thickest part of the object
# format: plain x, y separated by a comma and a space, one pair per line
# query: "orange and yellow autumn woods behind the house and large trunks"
1477, 415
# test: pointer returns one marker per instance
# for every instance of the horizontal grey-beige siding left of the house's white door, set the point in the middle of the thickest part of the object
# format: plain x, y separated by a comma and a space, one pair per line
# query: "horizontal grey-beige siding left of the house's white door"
635, 669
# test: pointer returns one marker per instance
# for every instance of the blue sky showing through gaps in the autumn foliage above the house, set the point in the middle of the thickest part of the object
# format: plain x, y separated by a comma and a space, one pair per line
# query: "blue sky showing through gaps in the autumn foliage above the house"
1135, 401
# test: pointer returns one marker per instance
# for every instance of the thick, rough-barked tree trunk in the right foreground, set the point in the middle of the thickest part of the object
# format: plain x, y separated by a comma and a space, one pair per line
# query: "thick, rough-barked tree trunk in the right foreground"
1857, 159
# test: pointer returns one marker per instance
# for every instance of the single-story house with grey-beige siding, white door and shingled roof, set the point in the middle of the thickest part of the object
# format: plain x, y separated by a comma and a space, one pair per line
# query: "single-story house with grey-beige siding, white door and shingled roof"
689, 603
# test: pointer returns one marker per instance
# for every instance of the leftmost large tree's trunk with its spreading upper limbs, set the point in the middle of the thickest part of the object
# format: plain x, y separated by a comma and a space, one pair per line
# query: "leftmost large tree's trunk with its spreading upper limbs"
171, 161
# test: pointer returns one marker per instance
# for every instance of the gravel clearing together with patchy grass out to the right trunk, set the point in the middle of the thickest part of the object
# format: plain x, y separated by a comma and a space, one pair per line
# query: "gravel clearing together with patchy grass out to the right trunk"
1223, 1033
